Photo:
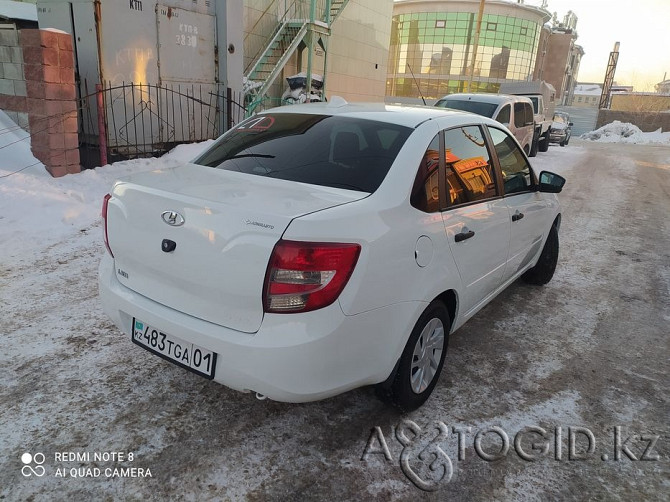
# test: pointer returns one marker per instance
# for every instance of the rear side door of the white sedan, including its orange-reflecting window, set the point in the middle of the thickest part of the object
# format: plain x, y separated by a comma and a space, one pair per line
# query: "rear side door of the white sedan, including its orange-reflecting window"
476, 218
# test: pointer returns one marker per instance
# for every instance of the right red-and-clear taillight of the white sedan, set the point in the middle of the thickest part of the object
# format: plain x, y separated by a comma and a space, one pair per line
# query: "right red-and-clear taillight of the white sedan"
304, 276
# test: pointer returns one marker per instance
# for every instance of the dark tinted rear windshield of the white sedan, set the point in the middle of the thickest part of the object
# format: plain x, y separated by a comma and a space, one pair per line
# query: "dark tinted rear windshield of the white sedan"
326, 150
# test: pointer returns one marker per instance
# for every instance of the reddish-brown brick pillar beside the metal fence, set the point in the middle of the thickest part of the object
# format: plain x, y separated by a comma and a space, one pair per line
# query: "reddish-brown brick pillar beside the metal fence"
51, 99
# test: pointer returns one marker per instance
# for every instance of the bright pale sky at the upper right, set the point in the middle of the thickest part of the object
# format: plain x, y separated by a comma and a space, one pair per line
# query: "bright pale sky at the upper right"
642, 27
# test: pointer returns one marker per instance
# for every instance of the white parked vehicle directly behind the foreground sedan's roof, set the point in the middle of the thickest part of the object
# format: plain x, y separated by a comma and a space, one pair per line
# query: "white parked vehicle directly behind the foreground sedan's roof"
514, 112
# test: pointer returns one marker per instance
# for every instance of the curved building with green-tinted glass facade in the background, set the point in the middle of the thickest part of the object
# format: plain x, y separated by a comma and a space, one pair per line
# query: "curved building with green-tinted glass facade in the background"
434, 46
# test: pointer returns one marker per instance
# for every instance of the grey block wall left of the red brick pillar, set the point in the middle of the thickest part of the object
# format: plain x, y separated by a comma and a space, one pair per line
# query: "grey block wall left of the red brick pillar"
12, 80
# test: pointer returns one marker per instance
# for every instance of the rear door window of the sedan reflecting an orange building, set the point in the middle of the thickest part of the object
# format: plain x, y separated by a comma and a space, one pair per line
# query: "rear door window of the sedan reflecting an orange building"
470, 176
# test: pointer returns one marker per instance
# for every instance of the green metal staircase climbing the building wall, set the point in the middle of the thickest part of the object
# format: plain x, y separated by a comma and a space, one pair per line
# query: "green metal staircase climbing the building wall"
285, 40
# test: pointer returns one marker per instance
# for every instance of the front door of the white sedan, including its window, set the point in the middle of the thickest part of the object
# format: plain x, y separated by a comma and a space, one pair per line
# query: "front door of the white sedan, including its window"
528, 212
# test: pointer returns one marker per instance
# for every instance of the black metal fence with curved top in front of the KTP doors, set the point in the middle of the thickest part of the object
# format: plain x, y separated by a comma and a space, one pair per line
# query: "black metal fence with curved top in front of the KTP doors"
146, 120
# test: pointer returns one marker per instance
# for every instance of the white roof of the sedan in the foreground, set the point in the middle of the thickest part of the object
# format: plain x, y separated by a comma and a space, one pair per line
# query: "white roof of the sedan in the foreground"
398, 114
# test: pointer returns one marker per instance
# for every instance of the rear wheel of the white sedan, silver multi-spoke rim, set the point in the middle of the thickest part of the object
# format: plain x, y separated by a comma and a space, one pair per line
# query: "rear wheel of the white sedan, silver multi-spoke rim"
409, 388
